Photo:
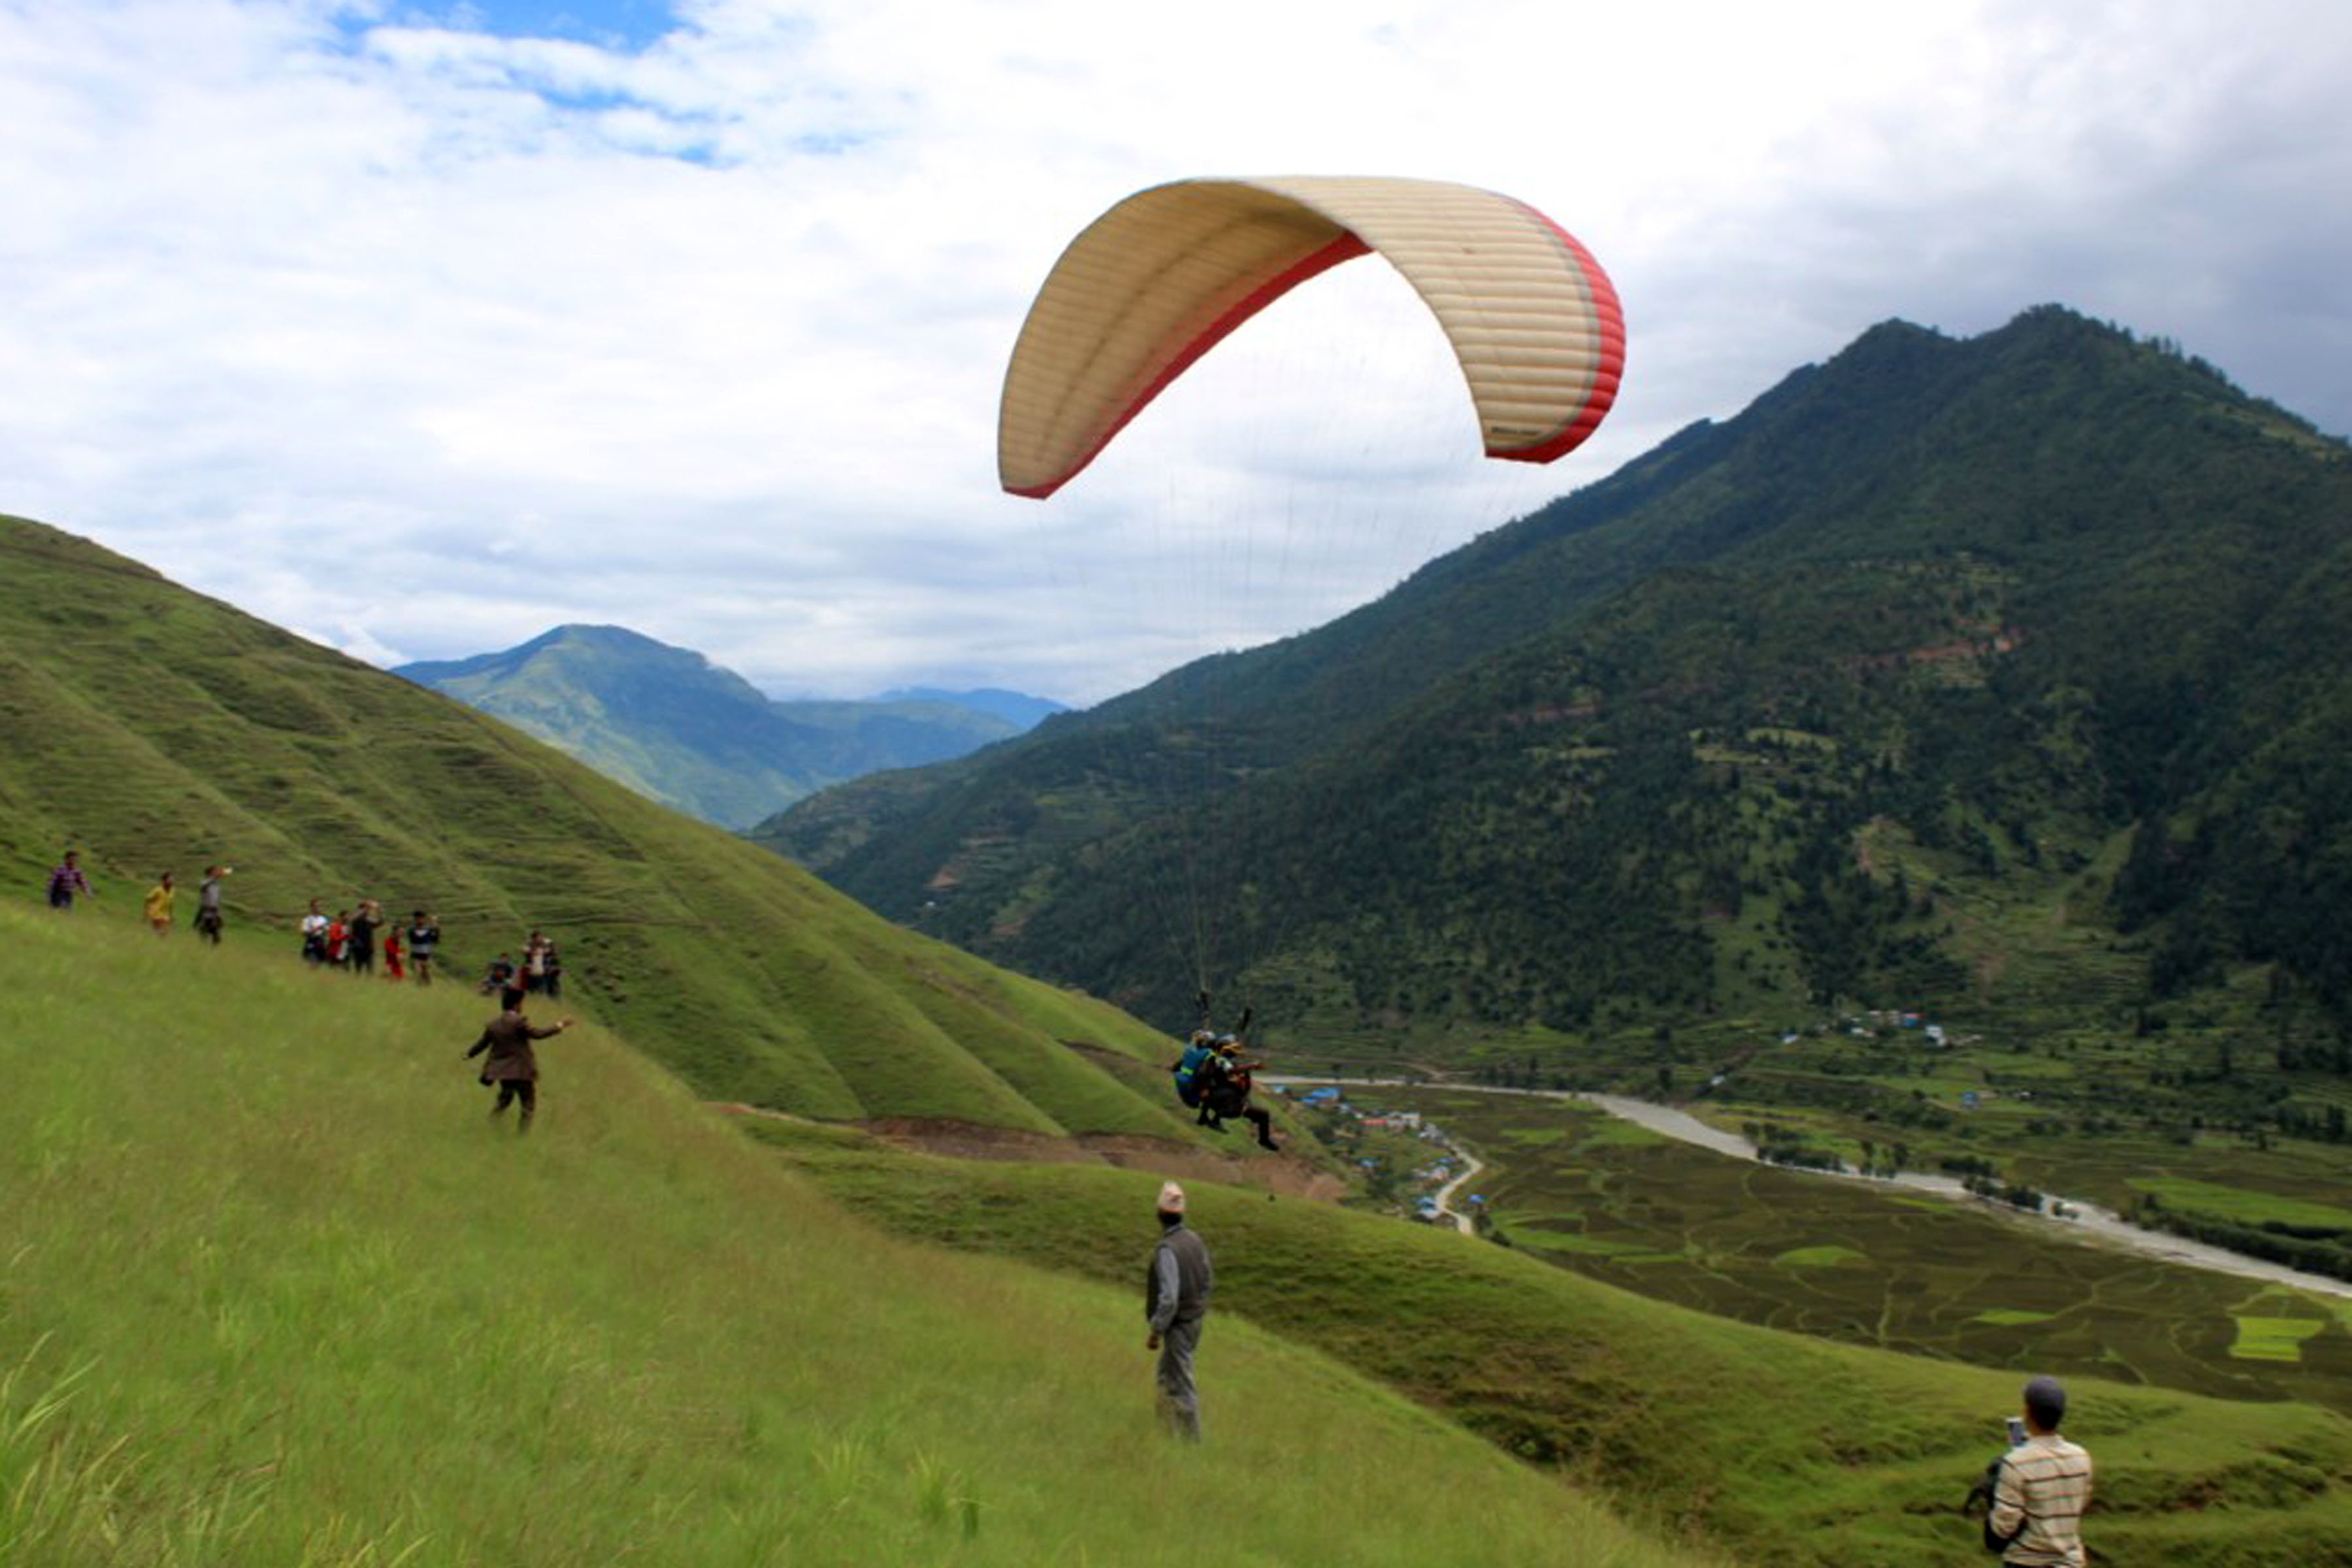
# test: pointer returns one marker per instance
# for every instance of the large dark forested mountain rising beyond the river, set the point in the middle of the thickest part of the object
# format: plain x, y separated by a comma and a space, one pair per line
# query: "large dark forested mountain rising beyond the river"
2010, 671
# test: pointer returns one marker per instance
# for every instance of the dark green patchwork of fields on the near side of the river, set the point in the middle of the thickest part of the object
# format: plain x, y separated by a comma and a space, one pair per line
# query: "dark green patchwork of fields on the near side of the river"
1880, 1266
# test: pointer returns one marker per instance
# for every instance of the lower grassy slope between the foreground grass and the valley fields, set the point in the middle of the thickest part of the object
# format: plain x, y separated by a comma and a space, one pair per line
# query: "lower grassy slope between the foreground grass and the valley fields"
1772, 1447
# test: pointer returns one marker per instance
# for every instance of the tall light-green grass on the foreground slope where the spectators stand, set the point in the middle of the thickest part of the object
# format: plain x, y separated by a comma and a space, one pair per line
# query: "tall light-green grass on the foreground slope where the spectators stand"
274, 1292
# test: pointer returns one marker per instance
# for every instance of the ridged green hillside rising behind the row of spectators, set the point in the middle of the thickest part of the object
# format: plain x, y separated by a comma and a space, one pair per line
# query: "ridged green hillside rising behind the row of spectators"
154, 728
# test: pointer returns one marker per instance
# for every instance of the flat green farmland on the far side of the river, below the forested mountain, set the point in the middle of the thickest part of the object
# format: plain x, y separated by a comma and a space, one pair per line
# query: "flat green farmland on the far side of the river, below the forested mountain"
2177, 1118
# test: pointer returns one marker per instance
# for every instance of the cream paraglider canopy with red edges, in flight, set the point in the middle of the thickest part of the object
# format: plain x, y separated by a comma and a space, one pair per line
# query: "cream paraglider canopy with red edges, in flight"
1161, 279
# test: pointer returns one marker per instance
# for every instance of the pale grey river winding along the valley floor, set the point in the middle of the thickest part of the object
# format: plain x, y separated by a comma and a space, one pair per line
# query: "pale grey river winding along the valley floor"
2087, 1224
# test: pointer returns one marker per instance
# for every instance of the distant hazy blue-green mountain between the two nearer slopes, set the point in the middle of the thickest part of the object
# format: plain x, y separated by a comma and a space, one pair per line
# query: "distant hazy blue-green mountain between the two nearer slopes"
690, 735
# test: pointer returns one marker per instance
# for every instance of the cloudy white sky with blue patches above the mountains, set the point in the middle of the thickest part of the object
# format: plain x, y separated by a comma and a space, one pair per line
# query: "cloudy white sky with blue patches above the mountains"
422, 328
